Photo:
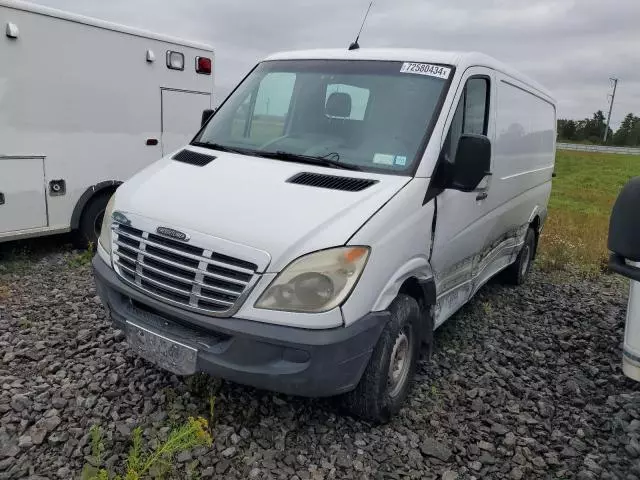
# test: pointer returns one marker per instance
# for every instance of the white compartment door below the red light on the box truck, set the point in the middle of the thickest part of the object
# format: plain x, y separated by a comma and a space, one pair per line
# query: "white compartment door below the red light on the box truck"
181, 116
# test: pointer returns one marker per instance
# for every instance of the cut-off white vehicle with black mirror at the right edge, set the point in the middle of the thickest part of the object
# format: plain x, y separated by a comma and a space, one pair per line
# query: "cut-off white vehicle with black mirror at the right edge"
624, 243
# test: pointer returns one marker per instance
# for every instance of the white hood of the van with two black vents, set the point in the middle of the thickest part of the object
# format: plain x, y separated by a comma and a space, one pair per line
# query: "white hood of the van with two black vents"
247, 200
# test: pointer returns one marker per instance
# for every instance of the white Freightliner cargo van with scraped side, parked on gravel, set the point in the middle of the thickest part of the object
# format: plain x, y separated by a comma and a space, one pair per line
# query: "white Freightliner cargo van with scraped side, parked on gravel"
336, 209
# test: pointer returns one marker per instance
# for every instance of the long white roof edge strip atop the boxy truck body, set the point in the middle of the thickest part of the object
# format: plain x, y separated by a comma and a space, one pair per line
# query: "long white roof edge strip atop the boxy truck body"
72, 17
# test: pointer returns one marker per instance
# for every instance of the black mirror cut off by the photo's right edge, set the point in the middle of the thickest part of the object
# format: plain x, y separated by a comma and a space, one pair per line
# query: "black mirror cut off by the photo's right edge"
624, 231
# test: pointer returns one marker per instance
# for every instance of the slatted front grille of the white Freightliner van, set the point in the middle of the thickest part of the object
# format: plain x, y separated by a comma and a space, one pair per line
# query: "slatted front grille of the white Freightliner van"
179, 273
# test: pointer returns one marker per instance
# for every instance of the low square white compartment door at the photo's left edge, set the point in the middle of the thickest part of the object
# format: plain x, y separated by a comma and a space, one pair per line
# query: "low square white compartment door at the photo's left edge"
22, 193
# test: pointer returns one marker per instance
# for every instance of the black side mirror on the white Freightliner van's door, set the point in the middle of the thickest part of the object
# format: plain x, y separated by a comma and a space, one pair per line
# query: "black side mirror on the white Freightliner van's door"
472, 163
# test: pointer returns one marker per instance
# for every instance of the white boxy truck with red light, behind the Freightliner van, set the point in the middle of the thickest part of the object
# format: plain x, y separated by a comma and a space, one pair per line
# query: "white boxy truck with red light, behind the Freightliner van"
84, 104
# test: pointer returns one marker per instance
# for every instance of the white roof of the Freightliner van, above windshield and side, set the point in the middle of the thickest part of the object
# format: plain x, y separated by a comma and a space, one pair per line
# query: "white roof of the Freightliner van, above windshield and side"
461, 60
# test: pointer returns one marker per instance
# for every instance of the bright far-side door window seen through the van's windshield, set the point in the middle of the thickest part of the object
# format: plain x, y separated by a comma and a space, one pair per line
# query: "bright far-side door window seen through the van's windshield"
261, 117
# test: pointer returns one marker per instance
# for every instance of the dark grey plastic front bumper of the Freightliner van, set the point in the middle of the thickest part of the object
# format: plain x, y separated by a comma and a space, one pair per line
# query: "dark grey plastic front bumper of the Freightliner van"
290, 360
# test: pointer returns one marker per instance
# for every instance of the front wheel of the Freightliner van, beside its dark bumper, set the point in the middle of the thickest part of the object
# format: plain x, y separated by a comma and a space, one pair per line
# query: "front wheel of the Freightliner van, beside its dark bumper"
386, 380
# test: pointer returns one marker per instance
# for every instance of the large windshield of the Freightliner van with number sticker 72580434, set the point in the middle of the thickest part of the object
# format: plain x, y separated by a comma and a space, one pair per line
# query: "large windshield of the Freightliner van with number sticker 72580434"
368, 115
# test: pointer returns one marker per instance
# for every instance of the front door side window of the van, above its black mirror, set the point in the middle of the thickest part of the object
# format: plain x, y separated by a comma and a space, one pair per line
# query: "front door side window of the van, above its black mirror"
472, 113
